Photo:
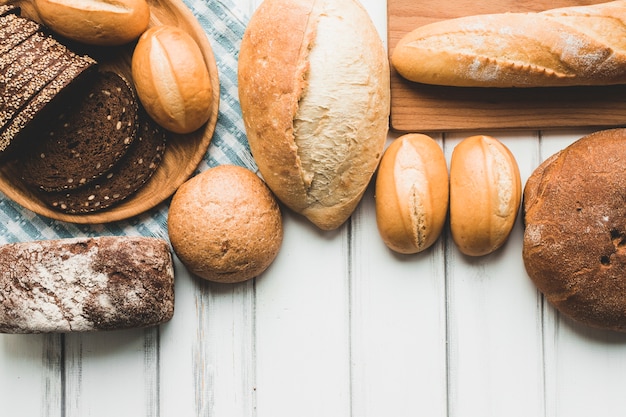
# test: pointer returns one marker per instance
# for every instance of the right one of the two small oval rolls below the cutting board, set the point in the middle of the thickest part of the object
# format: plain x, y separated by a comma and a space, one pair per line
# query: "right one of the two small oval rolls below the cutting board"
485, 194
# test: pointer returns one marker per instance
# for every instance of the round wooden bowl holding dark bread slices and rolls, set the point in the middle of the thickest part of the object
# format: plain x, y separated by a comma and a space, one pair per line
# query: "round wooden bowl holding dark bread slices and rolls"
183, 152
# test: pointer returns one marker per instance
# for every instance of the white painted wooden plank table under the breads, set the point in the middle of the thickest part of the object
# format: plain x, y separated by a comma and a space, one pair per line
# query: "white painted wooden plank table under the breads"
339, 326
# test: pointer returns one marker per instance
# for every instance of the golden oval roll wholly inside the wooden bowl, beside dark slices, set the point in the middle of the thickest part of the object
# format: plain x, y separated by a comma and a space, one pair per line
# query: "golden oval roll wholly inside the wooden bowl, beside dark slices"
172, 80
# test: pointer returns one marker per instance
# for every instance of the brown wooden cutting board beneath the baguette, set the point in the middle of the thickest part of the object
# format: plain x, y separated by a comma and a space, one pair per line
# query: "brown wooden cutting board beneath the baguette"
418, 107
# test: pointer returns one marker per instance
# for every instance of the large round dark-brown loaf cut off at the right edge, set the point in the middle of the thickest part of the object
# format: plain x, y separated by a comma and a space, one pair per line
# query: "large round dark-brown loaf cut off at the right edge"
575, 230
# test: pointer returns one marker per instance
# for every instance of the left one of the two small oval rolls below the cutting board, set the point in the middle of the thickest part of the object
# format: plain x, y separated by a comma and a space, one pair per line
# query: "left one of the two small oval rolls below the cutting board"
411, 193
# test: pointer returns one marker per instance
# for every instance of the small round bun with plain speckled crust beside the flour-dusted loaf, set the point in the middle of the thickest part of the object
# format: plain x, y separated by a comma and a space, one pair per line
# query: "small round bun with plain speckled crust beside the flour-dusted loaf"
225, 225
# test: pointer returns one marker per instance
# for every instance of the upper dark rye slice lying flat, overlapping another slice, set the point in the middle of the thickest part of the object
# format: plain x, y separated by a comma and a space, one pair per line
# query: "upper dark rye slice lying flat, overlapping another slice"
91, 132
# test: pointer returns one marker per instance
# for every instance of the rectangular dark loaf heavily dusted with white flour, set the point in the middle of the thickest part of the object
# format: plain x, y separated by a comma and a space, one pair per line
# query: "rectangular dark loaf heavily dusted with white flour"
85, 284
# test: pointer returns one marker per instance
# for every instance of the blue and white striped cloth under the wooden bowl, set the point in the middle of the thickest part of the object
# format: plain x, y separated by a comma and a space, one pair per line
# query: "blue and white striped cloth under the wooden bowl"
224, 25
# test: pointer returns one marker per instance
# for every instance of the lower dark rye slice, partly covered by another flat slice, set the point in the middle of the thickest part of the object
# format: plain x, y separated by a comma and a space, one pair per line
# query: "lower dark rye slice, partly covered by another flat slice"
124, 179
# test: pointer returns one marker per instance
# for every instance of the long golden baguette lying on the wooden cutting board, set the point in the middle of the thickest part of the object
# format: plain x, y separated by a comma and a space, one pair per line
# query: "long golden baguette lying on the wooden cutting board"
583, 45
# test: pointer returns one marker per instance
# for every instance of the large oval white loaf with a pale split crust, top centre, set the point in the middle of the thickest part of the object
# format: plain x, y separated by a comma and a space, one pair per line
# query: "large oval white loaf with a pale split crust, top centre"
314, 91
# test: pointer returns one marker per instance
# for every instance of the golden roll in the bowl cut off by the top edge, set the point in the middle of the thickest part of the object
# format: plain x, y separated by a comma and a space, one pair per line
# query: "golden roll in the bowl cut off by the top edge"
96, 22
